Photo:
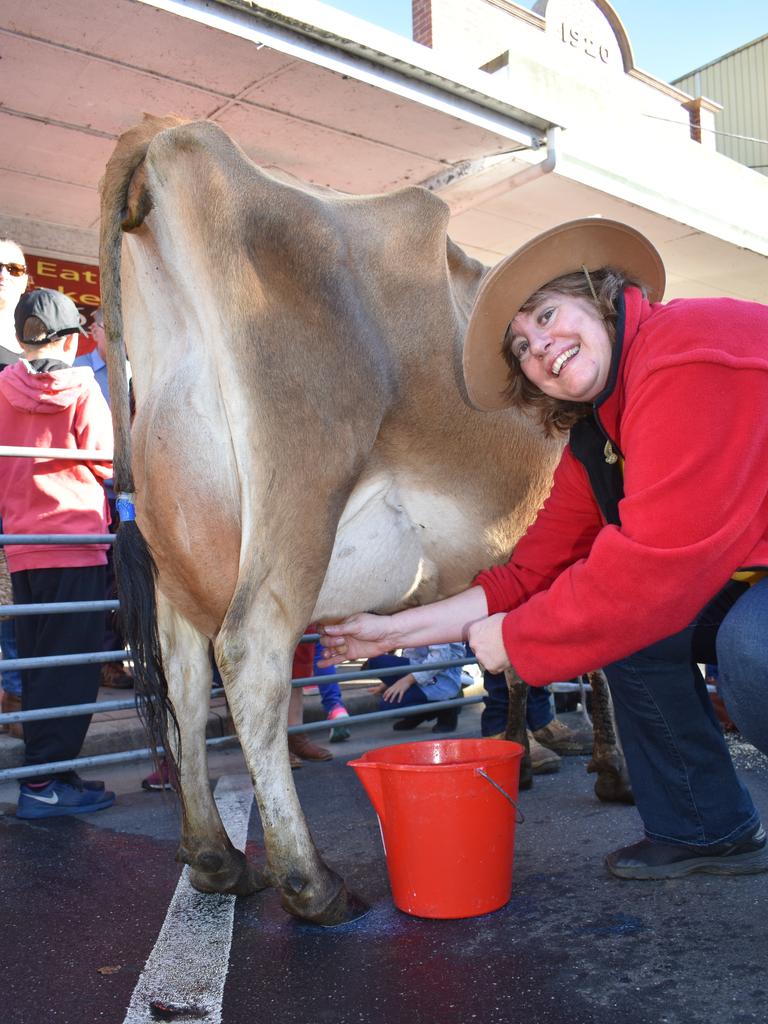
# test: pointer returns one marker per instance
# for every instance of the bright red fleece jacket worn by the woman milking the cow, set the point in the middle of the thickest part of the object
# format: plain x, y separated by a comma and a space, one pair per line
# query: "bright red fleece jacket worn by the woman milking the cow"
689, 416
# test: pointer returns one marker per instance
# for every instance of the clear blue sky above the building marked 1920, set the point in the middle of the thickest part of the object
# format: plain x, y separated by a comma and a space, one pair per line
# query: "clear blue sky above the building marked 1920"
669, 37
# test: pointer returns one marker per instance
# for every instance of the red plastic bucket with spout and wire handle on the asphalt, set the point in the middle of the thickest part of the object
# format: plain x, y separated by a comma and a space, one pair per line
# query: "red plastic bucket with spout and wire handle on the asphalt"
448, 823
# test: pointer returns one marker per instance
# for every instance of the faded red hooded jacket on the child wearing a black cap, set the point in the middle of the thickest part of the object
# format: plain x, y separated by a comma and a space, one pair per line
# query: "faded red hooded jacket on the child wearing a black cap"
60, 409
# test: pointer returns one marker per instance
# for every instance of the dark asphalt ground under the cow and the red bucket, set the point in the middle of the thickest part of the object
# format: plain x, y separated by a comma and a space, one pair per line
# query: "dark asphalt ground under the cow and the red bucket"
86, 901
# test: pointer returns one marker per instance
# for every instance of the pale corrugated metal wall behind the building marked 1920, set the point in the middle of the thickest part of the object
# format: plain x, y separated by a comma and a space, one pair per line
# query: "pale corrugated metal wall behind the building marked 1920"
740, 82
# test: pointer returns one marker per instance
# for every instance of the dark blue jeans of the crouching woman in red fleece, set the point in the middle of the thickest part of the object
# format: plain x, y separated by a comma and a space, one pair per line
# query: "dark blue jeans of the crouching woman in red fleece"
682, 776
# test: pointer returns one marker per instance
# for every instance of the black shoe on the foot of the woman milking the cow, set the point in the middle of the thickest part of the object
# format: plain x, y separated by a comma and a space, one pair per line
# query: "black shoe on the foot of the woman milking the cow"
651, 861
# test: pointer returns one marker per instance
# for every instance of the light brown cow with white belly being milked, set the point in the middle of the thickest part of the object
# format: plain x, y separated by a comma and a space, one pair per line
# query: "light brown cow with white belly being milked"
303, 448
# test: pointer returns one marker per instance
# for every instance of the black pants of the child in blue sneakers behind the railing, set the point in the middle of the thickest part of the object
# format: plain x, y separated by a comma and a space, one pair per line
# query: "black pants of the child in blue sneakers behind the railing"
42, 636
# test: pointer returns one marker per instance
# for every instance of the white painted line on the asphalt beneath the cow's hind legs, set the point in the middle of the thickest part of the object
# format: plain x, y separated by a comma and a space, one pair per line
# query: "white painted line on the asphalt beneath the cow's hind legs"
188, 967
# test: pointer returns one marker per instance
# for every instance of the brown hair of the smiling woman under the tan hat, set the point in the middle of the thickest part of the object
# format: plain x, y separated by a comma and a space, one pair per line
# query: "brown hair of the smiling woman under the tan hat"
556, 415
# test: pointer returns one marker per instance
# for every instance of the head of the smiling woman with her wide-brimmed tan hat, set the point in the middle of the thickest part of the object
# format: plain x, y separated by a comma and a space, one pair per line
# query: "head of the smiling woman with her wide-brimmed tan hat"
572, 278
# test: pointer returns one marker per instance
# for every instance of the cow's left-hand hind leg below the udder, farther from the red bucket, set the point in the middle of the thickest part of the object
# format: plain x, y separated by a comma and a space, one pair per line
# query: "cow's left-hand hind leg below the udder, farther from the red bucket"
216, 866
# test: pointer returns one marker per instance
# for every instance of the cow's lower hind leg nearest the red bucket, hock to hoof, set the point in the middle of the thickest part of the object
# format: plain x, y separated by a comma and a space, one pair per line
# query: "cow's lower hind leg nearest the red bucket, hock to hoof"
259, 692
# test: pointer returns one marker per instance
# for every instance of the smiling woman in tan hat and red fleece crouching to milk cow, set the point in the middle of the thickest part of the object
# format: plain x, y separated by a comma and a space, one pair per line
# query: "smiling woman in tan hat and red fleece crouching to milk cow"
631, 564
